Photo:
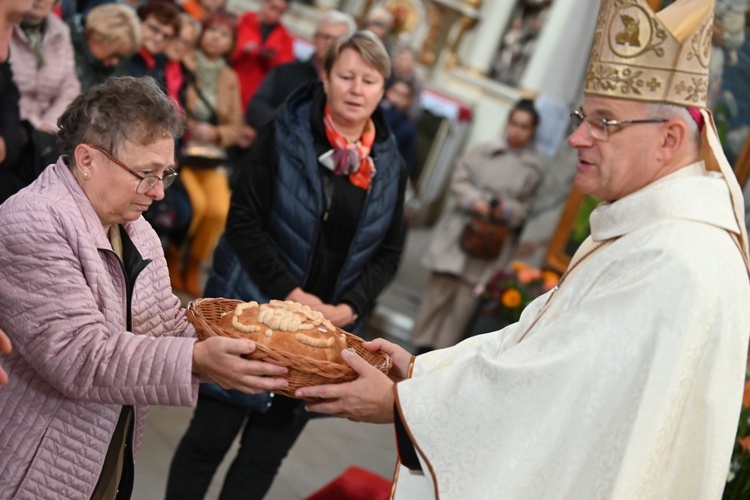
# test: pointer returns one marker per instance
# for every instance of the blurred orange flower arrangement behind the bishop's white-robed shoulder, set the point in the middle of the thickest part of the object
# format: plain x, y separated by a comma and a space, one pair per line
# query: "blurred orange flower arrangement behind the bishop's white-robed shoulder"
509, 291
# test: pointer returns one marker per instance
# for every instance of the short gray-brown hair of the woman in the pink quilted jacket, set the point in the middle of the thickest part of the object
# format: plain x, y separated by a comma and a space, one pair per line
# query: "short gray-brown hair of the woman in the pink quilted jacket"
118, 110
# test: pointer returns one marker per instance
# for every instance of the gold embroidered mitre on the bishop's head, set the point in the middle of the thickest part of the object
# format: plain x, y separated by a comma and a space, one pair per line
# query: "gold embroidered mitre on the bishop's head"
640, 55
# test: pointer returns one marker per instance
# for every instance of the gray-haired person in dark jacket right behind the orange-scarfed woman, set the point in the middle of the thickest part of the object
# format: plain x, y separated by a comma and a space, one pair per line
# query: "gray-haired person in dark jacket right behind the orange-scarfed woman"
283, 79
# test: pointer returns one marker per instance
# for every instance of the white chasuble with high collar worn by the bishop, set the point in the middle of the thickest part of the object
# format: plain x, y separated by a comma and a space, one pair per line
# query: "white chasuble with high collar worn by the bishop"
628, 386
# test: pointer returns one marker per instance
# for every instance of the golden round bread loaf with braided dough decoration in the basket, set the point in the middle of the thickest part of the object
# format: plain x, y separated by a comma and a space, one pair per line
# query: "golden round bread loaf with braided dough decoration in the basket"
287, 326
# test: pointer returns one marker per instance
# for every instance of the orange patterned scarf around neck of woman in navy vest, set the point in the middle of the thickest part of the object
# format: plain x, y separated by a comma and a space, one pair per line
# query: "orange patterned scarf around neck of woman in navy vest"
350, 158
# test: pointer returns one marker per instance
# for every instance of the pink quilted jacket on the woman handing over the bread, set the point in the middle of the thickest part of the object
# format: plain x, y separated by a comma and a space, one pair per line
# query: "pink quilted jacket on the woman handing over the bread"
73, 366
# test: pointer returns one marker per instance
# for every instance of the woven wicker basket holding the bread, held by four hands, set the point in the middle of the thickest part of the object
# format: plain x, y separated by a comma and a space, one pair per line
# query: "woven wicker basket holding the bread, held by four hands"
204, 315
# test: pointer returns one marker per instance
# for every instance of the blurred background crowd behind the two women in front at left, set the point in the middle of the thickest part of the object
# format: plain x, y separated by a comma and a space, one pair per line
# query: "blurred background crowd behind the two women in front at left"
227, 73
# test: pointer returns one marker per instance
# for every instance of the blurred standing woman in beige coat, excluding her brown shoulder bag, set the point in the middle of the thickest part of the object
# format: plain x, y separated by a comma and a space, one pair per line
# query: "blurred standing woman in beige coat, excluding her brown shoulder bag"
498, 181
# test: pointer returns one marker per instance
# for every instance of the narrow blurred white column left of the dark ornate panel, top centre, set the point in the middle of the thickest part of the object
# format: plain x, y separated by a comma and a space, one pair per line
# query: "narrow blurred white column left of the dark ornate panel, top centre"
493, 21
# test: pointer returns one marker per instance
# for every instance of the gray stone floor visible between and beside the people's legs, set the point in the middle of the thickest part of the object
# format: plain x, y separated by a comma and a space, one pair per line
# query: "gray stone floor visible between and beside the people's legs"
327, 446
